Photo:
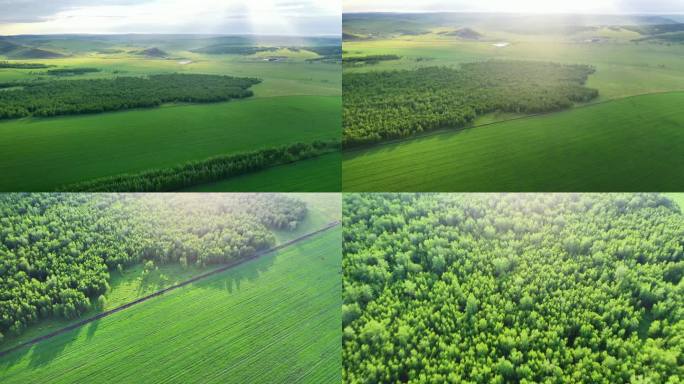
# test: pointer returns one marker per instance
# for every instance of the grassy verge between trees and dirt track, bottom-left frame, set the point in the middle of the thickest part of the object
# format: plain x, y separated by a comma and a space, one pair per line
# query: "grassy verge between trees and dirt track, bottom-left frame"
130, 285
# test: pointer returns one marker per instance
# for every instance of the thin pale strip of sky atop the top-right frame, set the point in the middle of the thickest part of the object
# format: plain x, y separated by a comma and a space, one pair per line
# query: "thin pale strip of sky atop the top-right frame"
521, 6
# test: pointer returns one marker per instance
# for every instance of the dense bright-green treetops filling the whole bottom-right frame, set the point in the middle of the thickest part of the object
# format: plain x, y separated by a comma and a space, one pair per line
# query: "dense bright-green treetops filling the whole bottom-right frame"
517, 288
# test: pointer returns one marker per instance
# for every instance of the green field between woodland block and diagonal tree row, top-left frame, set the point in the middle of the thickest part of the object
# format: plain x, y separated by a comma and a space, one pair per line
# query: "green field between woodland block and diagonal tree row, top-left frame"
43, 154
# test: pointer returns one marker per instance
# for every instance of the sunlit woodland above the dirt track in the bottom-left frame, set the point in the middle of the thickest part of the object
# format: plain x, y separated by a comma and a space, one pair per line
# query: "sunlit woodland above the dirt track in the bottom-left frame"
57, 251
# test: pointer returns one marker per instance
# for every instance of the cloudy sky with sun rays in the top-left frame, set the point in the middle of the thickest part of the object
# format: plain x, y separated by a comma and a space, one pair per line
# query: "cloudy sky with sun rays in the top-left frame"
264, 17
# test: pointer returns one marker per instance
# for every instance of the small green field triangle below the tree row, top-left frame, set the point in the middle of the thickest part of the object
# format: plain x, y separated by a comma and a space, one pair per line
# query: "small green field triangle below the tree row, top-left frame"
321, 174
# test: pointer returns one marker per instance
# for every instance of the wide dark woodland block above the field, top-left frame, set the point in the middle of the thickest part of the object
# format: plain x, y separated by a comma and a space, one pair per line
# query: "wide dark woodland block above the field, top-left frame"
69, 97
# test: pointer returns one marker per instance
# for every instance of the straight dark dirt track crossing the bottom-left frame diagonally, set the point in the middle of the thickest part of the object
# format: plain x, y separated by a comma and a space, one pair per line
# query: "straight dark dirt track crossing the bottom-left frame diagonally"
160, 292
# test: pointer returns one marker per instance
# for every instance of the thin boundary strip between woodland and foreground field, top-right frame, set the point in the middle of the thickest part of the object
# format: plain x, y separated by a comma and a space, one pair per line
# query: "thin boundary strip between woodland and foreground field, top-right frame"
356, 150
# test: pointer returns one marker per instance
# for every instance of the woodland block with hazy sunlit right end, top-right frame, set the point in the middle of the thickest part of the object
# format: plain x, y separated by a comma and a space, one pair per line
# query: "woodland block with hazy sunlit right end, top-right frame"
380, 105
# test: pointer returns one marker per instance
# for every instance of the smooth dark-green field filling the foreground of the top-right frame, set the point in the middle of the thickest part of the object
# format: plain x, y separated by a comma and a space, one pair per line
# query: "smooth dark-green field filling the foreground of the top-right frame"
631, 144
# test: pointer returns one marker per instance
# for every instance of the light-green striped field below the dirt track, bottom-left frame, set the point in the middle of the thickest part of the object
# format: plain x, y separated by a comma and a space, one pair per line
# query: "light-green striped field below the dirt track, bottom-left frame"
275, 319
